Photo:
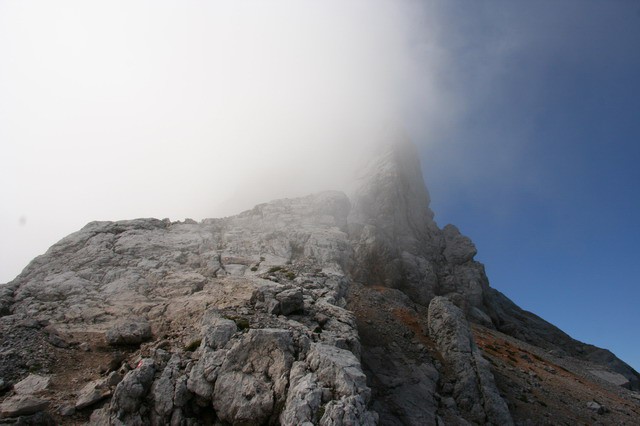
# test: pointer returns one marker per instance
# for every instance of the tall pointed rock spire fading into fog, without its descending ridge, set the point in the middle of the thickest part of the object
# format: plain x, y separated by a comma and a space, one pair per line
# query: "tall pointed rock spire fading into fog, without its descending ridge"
391, 224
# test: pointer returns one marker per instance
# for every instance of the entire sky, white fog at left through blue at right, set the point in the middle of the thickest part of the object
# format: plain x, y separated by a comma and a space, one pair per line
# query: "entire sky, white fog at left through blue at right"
525, 114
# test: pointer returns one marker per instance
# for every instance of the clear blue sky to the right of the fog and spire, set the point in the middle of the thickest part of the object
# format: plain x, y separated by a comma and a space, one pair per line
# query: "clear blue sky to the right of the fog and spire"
547, 182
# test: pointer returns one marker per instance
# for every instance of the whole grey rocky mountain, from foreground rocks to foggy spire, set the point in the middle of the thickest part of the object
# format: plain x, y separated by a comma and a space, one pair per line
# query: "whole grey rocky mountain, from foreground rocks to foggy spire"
330, 309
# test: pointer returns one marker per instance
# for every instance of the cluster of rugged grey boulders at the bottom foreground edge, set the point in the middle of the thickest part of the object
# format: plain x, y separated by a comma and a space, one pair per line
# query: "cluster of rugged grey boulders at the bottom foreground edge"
261, 376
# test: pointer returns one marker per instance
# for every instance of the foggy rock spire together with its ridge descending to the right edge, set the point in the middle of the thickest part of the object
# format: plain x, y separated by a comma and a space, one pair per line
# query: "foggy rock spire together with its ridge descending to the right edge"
397, 244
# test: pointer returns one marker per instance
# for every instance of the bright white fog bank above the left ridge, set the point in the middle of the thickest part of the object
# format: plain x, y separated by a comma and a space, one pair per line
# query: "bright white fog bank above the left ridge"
115, 110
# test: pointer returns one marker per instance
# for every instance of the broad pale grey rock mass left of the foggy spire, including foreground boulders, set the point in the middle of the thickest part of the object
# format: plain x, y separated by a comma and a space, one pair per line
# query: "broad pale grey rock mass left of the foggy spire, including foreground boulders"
246, 313
